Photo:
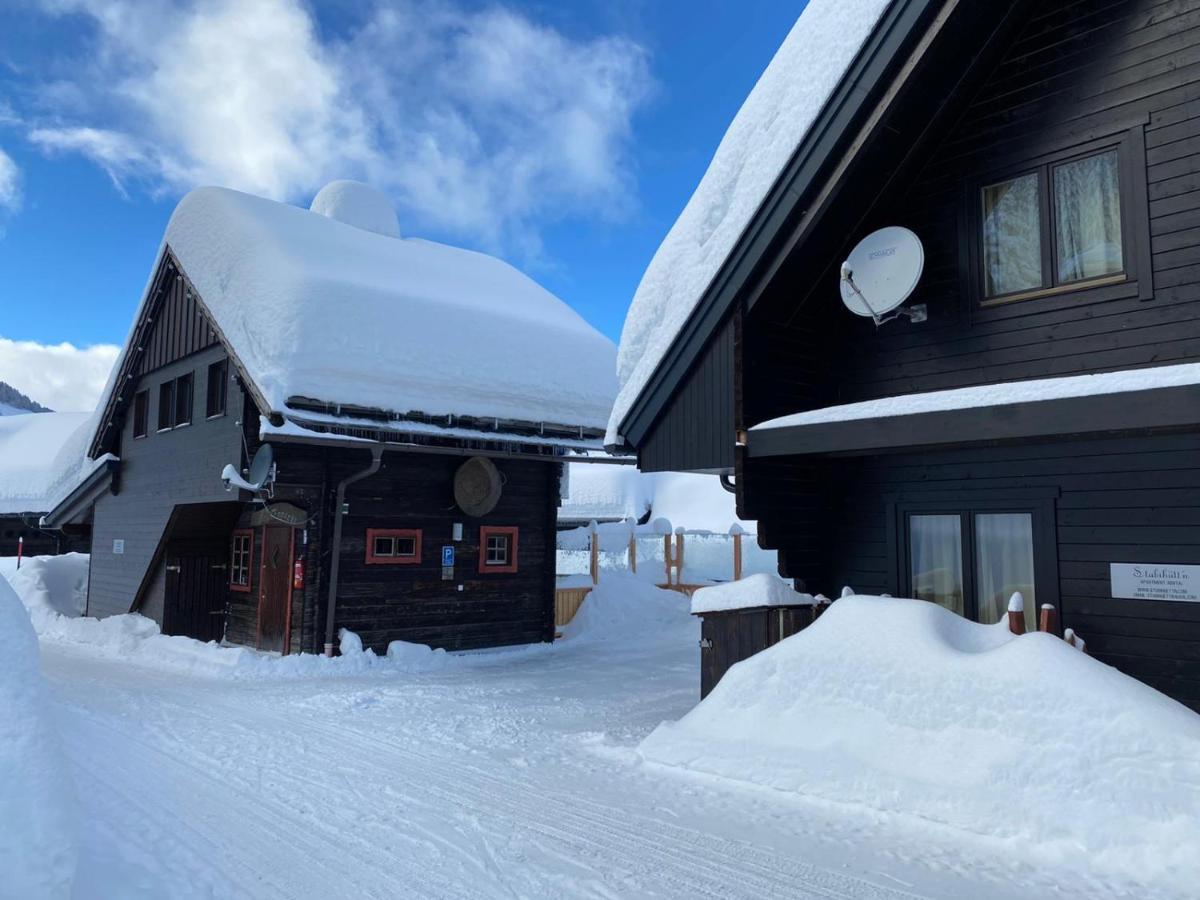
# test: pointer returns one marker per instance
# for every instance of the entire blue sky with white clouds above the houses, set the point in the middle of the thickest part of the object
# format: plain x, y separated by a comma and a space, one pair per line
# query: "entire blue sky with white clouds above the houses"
563, 137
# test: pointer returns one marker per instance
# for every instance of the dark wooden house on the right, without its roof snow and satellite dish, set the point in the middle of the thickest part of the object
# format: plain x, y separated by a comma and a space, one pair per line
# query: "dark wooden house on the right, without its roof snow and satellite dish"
1048, 157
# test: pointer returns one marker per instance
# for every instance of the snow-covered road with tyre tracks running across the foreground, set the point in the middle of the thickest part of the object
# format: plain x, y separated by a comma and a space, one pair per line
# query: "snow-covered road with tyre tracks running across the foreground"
512, 777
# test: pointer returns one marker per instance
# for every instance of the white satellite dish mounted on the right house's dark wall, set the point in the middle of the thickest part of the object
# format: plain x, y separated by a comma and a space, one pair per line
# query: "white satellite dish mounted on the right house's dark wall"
881, 273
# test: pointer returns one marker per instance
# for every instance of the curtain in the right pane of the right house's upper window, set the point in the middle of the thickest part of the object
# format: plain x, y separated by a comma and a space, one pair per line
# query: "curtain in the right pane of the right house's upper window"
1088, 218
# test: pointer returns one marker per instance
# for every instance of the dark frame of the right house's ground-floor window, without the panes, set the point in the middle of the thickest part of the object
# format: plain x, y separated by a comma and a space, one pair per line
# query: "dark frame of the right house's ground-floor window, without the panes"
1040, 503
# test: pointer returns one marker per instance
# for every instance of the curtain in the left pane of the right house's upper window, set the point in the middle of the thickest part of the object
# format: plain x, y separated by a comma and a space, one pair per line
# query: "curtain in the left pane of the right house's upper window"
1012, 236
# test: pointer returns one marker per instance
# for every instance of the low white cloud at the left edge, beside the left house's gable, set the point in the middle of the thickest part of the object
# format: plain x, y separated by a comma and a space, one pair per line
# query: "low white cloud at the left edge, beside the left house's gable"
63, 377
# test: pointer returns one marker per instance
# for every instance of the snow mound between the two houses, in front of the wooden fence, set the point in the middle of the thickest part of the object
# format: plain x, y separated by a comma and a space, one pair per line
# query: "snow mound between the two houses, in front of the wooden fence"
626, 610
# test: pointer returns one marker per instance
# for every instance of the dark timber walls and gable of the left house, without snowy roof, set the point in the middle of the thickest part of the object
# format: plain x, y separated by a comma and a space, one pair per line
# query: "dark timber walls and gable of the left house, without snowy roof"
172, 543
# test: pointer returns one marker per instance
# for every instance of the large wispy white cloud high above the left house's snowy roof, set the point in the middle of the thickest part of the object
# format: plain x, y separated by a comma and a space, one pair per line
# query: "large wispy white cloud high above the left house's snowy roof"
477, 121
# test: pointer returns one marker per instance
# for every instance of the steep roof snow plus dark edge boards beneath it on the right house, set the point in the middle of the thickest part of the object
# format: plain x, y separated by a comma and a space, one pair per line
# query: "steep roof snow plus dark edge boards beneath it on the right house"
797, 115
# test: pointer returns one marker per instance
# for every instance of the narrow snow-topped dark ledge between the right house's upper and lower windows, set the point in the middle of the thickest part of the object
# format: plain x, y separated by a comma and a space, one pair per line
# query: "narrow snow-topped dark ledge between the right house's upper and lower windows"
1157, 398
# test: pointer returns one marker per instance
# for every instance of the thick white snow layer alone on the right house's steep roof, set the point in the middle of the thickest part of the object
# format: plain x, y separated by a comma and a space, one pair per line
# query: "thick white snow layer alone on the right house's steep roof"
764, 136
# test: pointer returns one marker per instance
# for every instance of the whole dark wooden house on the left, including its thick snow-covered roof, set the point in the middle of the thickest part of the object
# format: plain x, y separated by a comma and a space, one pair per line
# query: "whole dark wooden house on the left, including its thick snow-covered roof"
407, 496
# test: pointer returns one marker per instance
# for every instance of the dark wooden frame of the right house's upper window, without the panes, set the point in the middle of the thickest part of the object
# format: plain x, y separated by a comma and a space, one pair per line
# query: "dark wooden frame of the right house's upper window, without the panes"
1136, 279
